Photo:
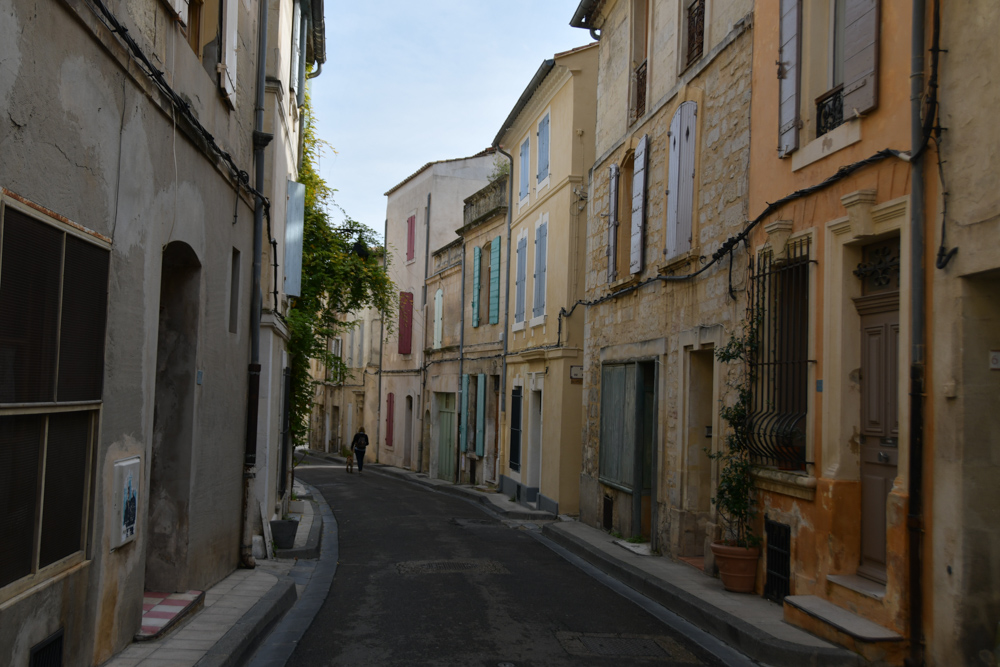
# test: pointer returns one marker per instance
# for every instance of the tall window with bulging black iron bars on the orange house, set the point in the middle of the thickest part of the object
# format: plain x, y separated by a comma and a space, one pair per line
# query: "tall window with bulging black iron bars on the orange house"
780, 365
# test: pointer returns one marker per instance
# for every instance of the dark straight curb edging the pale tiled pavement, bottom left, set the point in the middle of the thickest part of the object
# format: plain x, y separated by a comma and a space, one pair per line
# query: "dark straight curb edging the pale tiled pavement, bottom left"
241, 640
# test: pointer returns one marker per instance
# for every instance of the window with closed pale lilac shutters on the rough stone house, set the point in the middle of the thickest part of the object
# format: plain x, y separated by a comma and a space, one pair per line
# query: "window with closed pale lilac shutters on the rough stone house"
680, 179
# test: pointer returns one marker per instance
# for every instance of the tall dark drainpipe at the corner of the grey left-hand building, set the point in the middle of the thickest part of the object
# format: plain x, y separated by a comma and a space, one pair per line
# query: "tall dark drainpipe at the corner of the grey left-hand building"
260, 141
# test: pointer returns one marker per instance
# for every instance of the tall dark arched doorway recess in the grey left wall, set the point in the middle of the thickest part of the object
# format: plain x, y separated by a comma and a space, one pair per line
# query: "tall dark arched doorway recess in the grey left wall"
173, 420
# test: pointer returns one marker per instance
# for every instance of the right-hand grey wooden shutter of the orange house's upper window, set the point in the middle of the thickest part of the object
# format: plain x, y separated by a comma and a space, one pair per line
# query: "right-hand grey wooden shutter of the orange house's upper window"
860, 57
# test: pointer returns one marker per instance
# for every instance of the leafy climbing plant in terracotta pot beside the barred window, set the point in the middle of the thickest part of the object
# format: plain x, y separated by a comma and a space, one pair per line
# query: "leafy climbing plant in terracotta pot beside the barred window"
737, 552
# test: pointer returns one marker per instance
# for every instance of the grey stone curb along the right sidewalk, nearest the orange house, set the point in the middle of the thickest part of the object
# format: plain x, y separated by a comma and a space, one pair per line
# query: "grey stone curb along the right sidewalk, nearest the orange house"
731, 629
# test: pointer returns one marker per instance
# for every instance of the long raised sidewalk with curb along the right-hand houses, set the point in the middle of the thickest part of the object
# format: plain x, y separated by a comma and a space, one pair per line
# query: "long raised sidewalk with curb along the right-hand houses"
748, 623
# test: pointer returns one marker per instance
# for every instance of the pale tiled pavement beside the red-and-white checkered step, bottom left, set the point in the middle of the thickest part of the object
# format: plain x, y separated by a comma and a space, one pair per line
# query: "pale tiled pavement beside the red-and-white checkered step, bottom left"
225, 605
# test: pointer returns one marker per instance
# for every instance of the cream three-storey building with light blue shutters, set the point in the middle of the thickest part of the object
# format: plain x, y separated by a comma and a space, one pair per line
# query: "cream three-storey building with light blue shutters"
550, 134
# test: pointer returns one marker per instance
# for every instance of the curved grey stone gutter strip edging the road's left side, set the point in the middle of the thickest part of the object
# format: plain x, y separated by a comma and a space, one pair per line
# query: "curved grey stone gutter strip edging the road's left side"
317, 576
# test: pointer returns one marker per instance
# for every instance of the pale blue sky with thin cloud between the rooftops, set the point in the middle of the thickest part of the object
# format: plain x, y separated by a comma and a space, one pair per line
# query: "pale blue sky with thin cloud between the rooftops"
406, 83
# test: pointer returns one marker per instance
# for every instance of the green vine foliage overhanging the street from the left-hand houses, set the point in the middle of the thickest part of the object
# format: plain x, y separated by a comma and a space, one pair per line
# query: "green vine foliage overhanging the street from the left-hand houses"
342, 272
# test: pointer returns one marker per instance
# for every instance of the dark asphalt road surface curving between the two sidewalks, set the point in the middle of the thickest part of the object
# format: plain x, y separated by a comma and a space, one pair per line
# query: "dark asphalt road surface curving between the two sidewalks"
426, 578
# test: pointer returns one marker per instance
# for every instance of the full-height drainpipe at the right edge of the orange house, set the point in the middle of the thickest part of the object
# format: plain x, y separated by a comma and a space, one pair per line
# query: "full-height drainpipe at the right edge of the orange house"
914, 520
